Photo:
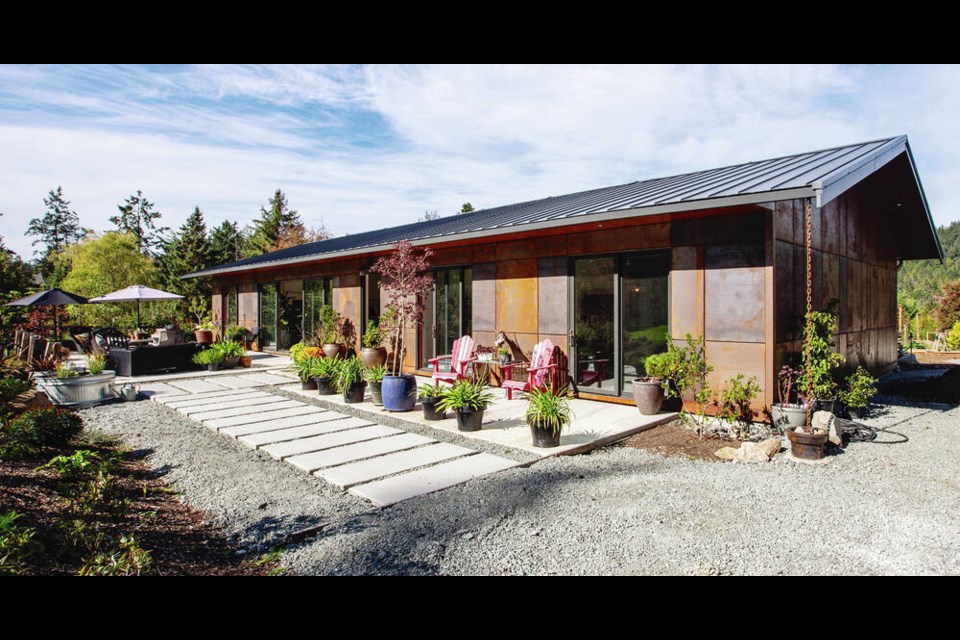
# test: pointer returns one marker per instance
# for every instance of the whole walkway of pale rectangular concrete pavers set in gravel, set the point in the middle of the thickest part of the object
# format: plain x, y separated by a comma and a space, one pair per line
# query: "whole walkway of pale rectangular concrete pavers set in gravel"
382, 464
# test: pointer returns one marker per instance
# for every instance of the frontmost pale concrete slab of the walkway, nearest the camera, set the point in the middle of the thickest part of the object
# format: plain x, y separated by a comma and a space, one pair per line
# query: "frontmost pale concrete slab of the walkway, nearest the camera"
395, 489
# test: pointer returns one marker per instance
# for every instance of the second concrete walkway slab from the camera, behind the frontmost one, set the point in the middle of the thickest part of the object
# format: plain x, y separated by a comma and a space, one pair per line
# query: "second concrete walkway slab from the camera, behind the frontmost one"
348, 475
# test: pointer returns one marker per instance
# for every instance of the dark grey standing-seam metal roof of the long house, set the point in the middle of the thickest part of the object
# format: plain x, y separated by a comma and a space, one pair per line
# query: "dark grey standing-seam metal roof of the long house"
803, 175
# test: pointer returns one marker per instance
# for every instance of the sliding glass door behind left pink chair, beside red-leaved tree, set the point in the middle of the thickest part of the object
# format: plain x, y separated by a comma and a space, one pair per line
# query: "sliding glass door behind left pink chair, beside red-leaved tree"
448, 312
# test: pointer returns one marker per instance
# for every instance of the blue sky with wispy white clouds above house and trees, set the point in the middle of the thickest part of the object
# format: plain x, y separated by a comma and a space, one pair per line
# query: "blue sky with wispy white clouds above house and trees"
361, 147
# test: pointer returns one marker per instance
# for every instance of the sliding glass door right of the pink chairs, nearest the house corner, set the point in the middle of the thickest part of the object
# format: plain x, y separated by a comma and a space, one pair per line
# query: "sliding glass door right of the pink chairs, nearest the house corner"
620, 313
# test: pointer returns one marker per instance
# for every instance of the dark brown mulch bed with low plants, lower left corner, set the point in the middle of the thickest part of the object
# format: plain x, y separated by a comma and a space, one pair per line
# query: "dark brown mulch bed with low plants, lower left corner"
178, 538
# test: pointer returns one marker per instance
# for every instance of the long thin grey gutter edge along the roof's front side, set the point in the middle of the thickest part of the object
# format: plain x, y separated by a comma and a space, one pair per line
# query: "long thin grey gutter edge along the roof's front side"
672, 208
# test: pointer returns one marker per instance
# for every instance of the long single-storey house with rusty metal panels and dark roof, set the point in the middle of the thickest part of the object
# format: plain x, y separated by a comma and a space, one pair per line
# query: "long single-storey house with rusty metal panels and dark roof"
607, 274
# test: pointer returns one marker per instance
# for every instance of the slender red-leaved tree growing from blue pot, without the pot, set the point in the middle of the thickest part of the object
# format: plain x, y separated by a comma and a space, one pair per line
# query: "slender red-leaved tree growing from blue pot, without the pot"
405, 281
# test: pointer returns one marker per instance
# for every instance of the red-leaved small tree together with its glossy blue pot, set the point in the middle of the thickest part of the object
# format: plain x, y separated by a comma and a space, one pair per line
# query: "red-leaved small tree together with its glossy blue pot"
406, 283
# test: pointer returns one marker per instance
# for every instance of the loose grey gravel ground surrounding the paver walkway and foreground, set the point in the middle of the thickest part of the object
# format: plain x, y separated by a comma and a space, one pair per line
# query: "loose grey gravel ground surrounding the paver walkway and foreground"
871, 510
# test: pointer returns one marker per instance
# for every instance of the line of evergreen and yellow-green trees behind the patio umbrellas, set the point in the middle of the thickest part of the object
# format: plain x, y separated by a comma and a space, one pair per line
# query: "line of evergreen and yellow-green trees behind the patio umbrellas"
140, 250
